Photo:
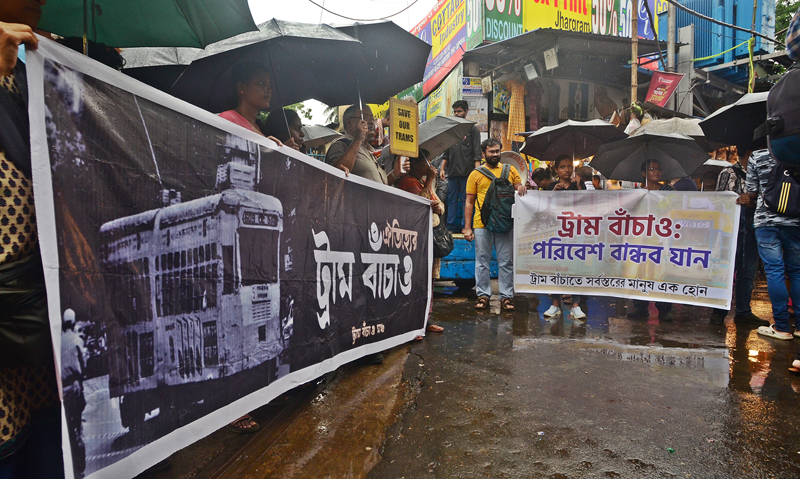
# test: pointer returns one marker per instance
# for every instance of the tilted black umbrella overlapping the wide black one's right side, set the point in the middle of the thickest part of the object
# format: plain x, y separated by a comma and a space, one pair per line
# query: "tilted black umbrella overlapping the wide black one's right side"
394, 60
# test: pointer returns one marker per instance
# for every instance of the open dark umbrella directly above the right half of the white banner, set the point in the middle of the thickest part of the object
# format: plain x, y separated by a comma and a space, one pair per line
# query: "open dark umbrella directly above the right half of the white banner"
677, 154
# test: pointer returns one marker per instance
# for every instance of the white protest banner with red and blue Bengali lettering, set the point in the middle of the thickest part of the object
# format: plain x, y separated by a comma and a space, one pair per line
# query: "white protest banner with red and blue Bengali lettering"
667, 246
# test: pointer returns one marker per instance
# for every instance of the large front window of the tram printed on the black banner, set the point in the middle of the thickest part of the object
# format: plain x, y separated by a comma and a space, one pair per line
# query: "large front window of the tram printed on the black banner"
259, 255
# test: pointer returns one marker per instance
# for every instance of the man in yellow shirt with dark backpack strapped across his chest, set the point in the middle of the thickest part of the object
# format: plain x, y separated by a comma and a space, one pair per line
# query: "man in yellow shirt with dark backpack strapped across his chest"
492, 187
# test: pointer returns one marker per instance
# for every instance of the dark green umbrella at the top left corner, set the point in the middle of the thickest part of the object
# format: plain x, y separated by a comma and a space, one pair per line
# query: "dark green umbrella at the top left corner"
148, 23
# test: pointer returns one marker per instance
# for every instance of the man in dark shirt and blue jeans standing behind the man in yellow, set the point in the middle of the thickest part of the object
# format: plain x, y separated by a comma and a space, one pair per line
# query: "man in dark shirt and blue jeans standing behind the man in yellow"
457, 164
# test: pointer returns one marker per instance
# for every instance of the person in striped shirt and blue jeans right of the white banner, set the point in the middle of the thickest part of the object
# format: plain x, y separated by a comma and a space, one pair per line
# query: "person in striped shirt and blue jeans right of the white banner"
778, 239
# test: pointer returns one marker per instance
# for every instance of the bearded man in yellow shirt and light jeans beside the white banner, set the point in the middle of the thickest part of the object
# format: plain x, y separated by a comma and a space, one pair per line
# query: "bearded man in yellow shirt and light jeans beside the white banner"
477, 185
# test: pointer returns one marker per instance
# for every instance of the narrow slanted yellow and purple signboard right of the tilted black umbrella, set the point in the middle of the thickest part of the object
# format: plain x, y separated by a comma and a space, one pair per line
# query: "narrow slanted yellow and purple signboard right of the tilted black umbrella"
445, 28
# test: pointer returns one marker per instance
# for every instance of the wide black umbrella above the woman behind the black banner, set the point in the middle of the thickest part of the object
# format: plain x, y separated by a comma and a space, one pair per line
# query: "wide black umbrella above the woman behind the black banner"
306, 61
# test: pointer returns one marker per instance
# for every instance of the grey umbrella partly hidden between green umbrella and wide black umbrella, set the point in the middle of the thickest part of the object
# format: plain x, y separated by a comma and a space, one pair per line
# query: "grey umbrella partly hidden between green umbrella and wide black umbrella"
159, 67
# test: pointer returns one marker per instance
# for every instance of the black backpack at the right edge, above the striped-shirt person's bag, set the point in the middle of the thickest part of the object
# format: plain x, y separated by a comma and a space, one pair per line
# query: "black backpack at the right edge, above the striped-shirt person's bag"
783, 118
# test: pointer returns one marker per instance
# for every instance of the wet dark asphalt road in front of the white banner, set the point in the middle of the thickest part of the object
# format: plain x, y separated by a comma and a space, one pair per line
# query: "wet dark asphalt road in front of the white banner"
514, 395
